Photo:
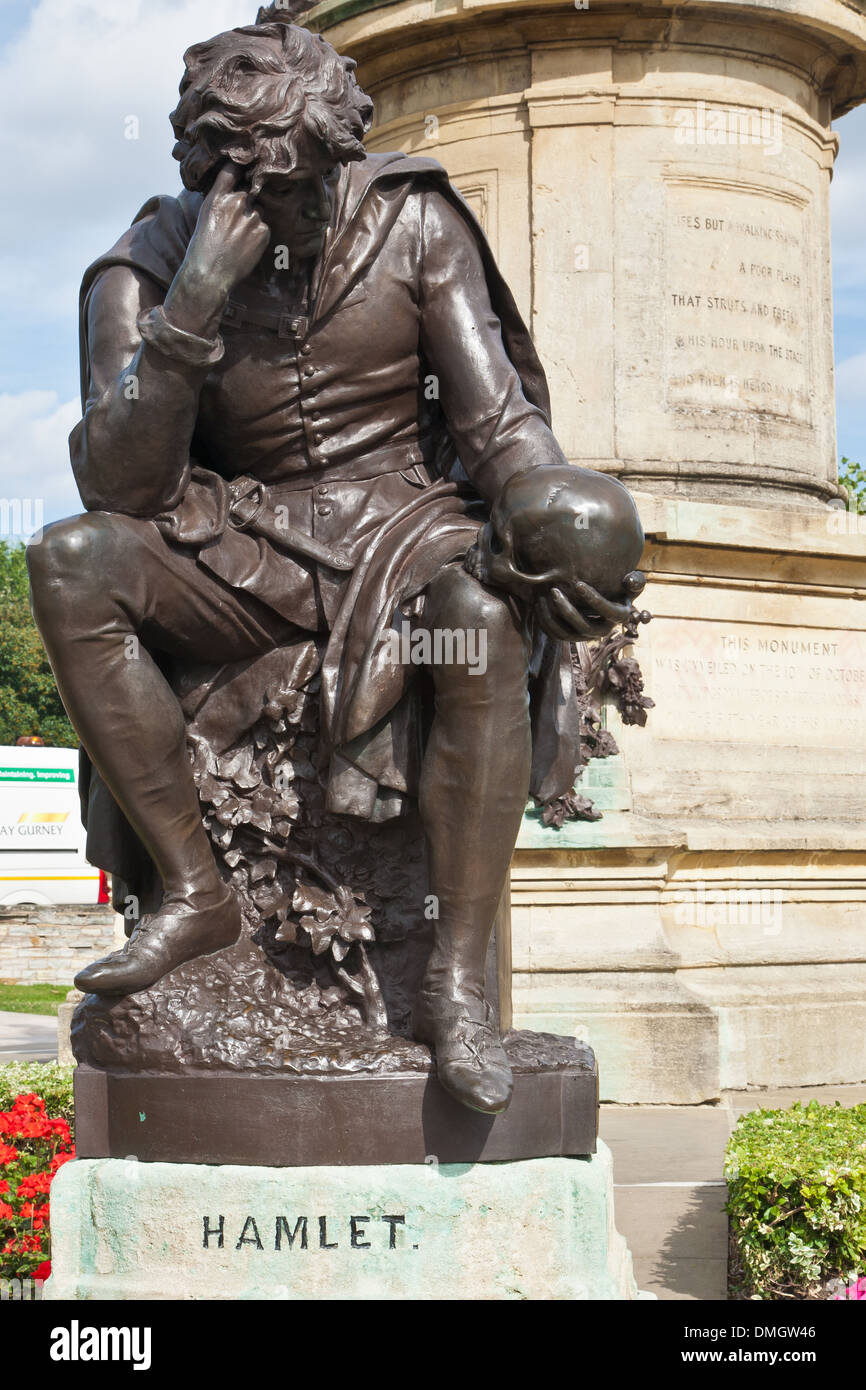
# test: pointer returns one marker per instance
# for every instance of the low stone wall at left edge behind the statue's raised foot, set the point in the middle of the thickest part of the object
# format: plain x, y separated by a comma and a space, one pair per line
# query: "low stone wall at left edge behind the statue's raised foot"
48, 946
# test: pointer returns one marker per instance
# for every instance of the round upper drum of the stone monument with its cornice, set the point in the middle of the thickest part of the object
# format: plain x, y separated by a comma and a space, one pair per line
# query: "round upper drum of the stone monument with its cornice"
654, 180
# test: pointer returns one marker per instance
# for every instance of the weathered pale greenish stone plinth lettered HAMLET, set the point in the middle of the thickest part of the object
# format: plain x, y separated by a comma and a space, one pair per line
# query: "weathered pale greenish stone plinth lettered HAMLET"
540, 1229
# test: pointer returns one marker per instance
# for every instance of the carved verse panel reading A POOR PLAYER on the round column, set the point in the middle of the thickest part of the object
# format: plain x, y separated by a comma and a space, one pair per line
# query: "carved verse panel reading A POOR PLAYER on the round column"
736, 302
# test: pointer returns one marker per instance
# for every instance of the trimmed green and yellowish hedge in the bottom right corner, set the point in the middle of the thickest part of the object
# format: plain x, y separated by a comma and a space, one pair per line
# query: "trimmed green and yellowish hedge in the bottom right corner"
797, 1199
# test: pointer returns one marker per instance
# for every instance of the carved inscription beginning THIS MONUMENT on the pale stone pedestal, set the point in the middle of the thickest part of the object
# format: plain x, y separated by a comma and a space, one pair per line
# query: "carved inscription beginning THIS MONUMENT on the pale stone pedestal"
758, 685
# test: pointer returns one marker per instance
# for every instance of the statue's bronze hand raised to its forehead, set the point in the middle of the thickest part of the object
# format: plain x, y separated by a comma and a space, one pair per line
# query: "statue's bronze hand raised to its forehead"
229, 243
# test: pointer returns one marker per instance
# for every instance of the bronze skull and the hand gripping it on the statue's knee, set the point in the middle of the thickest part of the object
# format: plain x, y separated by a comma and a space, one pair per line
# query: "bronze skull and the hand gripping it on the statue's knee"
566, 540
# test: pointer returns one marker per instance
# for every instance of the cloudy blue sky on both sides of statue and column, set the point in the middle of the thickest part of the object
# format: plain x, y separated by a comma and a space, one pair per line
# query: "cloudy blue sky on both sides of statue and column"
72, 76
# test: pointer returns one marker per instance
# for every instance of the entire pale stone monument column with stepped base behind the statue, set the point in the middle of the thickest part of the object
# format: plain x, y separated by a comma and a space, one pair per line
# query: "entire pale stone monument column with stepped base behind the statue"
655, 180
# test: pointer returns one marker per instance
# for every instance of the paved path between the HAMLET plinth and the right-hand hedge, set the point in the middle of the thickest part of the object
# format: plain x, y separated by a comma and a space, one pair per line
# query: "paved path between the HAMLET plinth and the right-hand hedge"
671, 1193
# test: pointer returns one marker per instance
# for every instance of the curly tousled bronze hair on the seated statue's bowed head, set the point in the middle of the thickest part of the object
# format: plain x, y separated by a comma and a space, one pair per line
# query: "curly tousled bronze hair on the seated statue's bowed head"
273, 98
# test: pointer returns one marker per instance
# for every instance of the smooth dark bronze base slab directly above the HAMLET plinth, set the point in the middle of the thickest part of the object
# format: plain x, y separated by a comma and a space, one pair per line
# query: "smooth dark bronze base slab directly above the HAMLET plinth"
325, 1121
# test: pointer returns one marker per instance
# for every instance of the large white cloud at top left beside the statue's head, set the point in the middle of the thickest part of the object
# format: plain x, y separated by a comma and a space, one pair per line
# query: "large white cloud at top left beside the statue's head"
67, 84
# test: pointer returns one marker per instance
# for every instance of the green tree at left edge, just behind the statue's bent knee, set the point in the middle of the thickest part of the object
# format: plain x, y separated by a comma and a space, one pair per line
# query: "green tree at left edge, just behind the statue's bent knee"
30, 703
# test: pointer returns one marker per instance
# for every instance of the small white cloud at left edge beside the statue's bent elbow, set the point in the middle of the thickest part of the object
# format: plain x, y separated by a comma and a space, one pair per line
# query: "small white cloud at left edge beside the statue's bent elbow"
38, 483
